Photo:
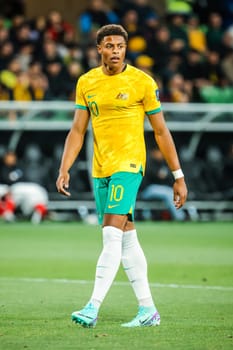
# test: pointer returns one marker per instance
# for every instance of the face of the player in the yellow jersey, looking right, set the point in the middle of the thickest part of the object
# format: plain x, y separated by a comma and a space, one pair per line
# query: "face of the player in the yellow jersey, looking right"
112, 50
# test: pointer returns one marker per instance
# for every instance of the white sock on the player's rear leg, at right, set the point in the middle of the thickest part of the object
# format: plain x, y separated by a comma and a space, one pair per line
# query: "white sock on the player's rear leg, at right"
135, 266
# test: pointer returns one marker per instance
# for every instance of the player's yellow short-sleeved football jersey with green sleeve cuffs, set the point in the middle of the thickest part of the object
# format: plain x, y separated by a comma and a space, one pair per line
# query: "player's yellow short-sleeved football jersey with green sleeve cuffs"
117, 105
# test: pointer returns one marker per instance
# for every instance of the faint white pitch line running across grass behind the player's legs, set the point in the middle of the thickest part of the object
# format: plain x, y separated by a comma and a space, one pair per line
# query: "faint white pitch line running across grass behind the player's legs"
155, 285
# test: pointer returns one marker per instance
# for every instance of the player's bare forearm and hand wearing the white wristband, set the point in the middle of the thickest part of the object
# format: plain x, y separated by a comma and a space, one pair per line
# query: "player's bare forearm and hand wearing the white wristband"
166, 144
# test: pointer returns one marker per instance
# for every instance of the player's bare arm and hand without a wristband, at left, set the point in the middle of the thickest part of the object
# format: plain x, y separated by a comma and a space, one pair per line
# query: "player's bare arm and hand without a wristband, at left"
73, 145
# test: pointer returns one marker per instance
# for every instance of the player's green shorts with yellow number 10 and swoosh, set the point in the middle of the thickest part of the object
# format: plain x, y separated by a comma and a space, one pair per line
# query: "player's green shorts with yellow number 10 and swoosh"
117, 194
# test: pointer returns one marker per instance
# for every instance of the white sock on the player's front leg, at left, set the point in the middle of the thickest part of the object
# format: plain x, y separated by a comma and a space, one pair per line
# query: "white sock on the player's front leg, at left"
108, 263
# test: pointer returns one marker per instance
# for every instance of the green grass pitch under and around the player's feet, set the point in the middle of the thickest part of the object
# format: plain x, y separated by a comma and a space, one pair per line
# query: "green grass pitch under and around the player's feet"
191, 275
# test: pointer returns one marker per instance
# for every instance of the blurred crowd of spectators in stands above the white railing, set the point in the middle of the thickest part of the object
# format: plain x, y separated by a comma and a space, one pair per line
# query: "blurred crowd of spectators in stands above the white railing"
188, 49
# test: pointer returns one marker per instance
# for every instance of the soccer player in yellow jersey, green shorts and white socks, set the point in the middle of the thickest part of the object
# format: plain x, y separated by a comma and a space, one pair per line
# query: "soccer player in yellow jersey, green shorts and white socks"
115, 97
